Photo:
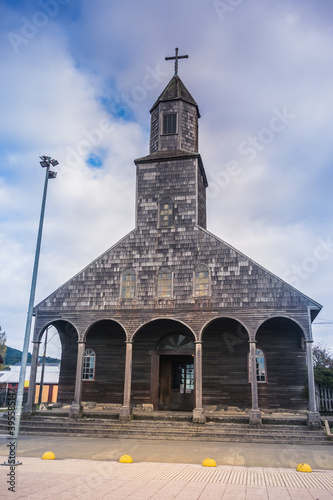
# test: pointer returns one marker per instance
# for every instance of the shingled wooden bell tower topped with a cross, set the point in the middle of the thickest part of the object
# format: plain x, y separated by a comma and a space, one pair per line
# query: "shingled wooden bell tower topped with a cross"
171, 180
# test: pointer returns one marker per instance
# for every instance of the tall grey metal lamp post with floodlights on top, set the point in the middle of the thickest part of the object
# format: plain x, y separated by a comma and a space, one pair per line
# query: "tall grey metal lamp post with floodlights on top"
14, 430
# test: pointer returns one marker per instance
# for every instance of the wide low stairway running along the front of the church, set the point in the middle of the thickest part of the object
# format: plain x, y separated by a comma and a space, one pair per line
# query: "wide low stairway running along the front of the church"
181, 428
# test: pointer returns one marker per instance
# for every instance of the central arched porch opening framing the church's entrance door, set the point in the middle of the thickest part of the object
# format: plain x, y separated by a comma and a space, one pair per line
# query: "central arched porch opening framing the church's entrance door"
163, 366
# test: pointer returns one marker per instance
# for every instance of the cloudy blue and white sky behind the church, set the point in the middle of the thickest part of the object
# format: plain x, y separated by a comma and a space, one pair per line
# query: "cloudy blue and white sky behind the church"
78, 78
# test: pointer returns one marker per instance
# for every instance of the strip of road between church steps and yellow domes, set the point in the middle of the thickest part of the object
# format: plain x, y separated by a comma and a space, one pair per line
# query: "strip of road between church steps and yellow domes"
167, 451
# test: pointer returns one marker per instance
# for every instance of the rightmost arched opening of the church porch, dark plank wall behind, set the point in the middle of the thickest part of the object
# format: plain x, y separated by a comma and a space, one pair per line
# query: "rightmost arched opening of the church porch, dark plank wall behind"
282, 341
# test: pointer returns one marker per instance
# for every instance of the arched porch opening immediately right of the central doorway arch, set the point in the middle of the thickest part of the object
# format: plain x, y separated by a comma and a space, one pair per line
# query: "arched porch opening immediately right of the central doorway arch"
225, 350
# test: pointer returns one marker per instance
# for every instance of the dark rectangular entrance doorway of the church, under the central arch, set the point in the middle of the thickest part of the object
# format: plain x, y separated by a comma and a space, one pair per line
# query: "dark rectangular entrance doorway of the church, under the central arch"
176, 383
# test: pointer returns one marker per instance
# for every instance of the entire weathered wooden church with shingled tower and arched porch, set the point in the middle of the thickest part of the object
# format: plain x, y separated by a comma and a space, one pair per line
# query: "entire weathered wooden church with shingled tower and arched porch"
171, 315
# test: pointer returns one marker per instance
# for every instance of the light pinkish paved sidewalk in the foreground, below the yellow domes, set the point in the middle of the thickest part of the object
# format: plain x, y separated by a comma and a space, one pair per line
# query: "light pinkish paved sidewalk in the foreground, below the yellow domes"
86, 479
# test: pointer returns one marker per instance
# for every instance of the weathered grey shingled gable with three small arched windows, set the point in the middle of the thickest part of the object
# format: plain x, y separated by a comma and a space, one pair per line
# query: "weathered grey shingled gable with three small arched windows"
127, 277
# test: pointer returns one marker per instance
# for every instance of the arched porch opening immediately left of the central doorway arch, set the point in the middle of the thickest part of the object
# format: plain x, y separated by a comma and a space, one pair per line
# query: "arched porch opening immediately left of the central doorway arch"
106, 340
